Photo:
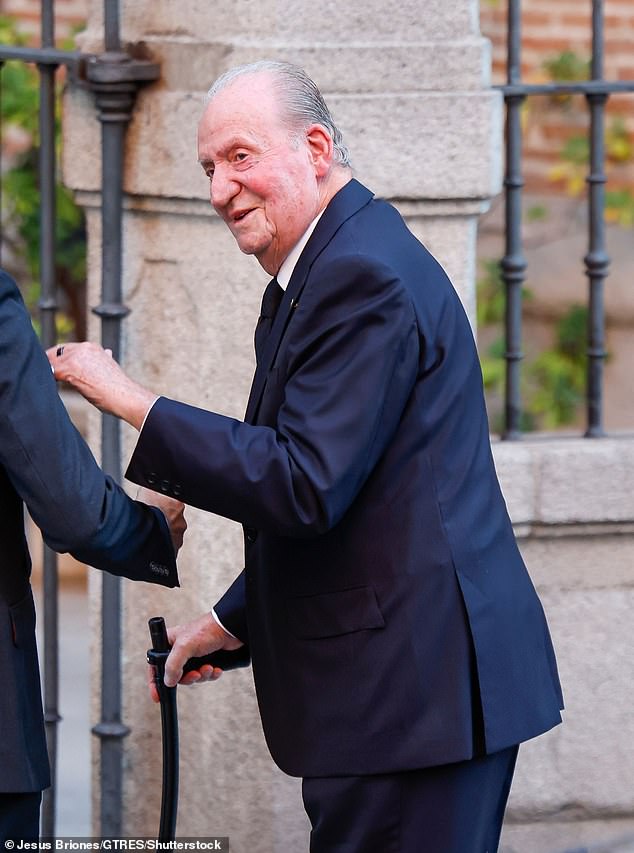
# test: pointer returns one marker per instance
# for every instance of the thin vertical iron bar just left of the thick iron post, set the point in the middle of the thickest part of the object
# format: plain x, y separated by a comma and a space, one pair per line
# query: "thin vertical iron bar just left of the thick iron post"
48, 307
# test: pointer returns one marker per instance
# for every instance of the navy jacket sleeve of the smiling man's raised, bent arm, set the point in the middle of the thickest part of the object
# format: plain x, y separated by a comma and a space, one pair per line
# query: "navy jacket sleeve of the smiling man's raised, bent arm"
351, 358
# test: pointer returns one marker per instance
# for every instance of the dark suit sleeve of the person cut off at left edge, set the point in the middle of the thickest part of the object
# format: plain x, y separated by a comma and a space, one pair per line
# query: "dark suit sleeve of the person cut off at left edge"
75, 505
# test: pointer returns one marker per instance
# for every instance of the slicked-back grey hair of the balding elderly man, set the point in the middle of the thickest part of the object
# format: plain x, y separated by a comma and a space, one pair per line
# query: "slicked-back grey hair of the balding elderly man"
299, 97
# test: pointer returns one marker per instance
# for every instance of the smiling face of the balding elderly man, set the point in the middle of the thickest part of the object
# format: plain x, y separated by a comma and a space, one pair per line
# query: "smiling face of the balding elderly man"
267, 183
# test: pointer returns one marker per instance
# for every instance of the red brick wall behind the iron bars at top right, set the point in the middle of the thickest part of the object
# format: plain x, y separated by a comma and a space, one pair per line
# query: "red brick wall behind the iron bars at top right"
550, 27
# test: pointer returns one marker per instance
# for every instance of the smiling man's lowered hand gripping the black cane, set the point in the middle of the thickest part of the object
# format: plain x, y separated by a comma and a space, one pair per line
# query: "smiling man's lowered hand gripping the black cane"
195, 639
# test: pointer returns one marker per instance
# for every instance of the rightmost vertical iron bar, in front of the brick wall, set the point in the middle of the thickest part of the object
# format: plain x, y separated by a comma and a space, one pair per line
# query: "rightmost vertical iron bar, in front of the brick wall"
597, 260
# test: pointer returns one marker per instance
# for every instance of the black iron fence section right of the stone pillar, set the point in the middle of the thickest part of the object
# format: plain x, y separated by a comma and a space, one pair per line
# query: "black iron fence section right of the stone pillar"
513, 264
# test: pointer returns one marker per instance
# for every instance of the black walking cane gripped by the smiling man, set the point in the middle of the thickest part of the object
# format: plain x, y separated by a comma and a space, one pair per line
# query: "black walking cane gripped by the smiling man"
156, 657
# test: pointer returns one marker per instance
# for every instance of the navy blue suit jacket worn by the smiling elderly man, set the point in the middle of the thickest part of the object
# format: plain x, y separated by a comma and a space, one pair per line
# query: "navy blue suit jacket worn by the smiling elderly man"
391, 621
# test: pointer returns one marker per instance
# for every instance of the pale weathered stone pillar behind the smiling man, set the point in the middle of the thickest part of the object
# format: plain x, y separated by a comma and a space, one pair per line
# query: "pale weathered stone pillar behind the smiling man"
409, 87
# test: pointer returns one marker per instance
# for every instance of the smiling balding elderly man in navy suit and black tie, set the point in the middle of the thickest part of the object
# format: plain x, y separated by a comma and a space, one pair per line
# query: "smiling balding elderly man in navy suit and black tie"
399, 649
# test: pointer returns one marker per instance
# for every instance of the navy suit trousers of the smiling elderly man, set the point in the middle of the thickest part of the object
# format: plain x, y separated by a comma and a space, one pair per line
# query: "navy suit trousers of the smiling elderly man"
454, 808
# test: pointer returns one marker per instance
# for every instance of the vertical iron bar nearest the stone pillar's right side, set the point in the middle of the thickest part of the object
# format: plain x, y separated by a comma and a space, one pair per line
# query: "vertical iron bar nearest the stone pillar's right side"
513, 264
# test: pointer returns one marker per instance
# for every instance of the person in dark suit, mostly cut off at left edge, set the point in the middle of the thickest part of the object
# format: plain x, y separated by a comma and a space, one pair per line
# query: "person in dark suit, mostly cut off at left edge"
45, 464
